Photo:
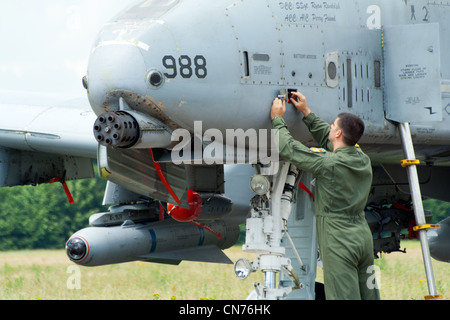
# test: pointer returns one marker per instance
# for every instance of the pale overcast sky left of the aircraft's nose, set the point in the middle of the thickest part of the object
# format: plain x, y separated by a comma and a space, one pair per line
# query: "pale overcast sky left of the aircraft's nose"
45, 44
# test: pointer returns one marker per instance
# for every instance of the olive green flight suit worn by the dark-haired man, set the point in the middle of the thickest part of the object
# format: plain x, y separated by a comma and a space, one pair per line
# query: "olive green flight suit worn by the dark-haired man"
343, 181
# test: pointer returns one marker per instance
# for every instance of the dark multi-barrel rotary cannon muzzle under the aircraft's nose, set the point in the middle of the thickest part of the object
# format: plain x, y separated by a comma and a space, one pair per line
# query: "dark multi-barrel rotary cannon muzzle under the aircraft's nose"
116, 129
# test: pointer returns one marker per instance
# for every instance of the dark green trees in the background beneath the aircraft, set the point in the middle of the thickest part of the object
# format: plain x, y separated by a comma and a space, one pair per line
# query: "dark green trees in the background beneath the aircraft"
41, 218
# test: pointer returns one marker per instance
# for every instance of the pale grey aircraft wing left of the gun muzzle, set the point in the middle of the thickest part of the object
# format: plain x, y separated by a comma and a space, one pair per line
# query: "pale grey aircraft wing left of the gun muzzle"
44, 137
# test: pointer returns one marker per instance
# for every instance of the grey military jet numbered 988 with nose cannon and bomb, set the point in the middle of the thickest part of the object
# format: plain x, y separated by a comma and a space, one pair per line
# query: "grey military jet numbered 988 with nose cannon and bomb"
180, 93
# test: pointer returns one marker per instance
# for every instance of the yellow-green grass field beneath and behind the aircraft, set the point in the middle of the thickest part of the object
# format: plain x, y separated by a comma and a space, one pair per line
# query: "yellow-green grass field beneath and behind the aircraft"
49, 275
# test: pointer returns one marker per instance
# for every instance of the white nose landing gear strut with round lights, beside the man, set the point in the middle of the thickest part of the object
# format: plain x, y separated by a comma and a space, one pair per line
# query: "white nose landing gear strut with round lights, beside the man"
267, 235
